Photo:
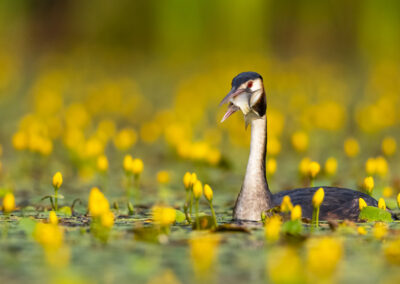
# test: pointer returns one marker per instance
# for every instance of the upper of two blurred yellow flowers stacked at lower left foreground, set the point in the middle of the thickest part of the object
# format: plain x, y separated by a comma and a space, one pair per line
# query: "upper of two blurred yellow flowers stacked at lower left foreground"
50, 236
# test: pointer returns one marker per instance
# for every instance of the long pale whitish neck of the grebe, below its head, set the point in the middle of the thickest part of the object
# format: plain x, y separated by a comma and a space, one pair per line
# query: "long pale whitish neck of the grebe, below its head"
255, 196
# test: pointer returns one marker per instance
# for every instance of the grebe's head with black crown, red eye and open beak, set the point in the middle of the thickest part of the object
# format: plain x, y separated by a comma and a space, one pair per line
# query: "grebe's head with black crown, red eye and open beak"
247, 94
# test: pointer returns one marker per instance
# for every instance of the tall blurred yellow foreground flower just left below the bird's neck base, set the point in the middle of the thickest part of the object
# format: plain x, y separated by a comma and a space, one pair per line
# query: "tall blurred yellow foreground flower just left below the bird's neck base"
203, 253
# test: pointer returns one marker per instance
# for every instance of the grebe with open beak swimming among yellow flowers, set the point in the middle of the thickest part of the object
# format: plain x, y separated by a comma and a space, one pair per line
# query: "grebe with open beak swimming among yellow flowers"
248, 95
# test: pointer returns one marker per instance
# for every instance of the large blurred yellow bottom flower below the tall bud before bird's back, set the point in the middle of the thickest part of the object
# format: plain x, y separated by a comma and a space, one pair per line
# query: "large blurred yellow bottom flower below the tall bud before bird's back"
323, 256
